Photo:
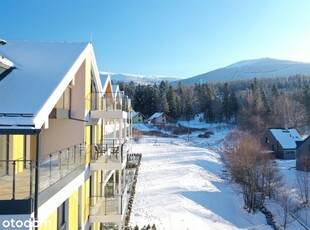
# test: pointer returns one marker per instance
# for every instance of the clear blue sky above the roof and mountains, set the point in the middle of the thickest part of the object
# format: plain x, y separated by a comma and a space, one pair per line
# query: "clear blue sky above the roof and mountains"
180, 38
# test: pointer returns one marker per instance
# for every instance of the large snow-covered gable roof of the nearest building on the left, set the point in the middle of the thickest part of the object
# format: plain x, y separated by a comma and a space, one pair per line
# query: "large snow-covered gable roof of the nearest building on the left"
43, 71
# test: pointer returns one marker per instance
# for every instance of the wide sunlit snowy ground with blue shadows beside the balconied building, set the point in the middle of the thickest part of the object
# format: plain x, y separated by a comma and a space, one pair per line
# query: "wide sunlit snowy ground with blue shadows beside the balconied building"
180, 187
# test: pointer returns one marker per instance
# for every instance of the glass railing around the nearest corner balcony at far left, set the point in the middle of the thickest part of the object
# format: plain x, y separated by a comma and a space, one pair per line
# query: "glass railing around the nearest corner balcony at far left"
17, 177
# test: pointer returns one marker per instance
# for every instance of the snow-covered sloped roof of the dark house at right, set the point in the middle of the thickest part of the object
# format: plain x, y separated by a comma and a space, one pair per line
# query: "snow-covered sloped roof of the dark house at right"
287, 137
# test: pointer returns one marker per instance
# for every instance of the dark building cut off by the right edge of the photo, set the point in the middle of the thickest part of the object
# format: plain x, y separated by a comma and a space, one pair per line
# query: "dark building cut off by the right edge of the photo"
303, 155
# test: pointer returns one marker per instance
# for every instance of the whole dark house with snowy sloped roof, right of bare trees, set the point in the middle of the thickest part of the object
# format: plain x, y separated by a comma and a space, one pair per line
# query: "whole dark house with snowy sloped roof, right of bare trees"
282, 142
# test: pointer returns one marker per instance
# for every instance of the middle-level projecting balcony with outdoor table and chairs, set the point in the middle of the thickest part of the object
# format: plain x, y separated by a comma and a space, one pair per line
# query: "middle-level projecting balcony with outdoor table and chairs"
111, 154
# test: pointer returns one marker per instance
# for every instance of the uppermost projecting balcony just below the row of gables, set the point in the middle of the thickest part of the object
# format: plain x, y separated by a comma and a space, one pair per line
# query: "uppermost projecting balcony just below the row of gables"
109, 105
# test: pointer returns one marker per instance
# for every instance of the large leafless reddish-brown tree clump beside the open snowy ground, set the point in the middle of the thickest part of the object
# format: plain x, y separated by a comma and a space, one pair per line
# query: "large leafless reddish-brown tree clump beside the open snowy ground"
252, 169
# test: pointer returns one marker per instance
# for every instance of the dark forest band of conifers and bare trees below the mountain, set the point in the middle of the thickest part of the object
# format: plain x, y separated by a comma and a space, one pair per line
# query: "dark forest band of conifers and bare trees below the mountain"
253, 105
